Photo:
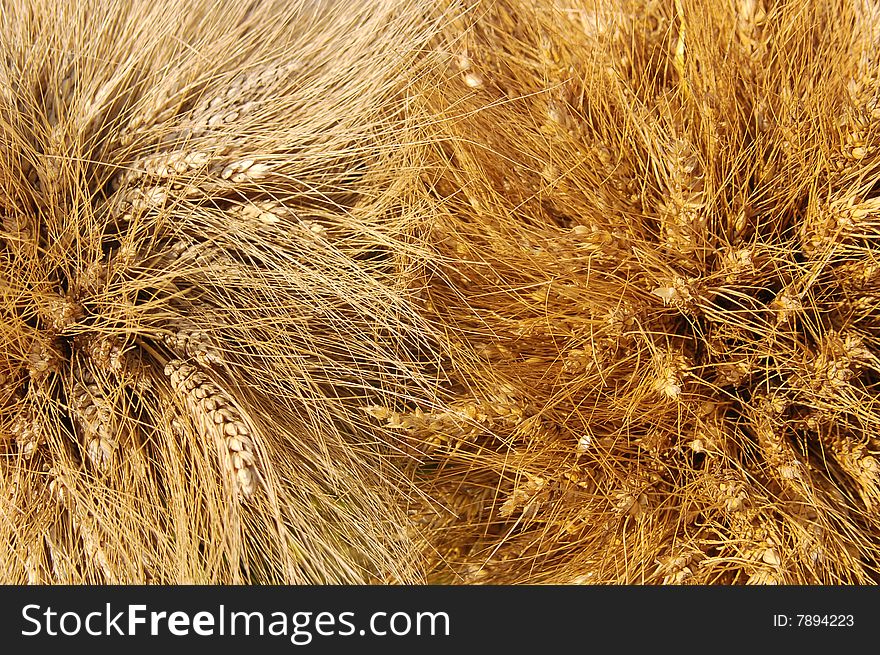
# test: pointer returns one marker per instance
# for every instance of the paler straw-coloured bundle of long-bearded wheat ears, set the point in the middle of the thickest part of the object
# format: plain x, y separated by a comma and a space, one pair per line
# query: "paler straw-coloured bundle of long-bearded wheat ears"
196, 293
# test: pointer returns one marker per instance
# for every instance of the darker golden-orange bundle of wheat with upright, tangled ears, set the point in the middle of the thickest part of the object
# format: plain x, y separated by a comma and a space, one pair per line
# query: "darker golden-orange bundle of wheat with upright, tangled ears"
654, 231
